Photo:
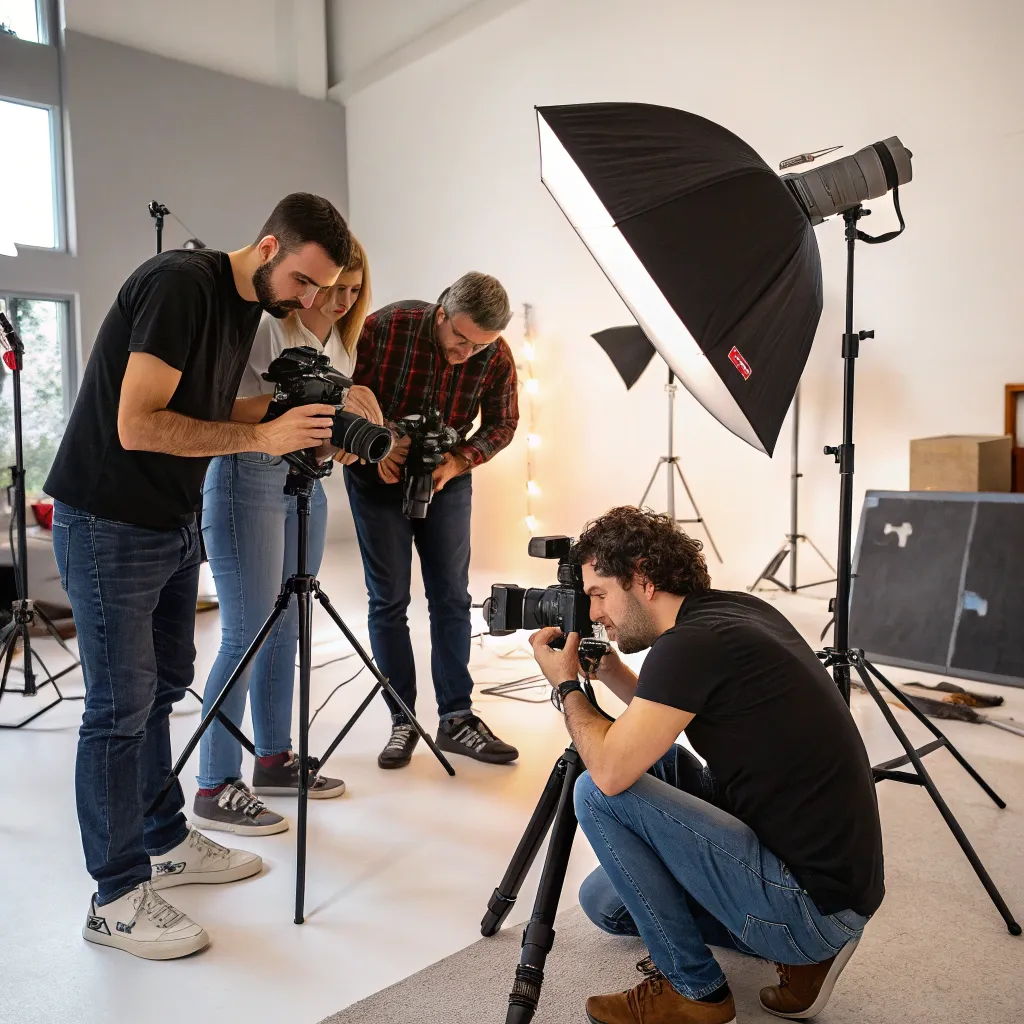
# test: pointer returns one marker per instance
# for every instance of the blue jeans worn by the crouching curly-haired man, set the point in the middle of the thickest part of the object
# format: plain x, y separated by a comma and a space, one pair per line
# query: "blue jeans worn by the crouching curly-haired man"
682, 874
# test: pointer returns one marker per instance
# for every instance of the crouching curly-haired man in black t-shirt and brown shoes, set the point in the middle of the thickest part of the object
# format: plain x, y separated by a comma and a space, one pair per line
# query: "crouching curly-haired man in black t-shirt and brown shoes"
773, 846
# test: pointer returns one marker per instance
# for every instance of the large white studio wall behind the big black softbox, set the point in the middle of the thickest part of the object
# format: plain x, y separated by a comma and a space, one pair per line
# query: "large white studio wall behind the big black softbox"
444, 179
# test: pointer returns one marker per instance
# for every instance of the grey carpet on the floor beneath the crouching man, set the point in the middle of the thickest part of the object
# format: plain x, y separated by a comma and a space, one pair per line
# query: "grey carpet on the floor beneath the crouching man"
937, 951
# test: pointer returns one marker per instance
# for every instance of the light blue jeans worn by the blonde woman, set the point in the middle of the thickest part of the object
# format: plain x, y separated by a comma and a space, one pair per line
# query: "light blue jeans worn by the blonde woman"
250, 528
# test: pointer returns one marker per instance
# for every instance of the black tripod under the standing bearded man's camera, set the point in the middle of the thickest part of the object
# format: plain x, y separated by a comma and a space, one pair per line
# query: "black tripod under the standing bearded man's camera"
304, 586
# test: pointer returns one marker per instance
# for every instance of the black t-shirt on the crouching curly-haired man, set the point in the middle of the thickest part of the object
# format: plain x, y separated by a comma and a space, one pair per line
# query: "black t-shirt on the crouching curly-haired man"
780, 740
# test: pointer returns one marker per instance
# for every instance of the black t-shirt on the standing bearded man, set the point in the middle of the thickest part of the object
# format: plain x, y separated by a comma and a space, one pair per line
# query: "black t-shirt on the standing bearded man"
182, 307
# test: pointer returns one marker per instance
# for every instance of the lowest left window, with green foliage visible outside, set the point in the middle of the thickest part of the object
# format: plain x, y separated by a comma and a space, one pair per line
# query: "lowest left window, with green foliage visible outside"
45, 328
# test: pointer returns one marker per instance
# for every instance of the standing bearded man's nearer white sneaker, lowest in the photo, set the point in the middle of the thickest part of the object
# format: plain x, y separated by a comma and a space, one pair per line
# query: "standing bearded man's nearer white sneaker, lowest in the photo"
144, 924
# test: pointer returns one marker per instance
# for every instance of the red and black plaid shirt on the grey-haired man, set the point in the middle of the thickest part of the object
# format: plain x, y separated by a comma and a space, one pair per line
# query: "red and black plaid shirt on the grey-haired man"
401, 361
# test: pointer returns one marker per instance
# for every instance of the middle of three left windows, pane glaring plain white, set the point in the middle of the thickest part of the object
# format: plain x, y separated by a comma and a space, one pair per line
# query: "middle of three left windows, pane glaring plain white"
27, 176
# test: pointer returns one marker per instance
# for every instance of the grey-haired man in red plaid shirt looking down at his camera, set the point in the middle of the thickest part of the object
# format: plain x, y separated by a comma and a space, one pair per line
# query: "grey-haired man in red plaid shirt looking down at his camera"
414, 357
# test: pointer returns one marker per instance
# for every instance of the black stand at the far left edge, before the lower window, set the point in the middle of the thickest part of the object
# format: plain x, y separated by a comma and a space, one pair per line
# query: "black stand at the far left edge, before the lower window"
25, 612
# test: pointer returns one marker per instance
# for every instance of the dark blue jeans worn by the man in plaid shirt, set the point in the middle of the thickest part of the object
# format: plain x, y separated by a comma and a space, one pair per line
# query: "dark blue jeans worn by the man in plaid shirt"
387, 539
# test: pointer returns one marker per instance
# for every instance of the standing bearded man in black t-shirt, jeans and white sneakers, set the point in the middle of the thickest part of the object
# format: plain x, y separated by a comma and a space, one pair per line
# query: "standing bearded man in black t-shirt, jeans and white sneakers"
157, 402
